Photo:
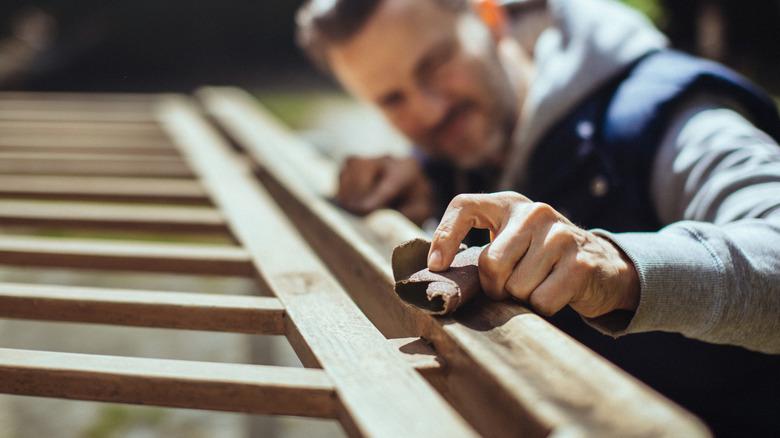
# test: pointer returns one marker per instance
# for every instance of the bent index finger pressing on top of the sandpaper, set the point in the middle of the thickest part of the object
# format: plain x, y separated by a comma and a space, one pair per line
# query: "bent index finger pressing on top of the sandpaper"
466, 211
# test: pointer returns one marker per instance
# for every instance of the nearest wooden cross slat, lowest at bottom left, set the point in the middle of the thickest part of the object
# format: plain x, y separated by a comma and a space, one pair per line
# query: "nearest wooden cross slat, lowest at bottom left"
256, 389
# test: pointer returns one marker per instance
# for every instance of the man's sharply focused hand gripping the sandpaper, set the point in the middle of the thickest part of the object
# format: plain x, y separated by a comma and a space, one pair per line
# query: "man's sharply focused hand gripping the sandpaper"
537, 256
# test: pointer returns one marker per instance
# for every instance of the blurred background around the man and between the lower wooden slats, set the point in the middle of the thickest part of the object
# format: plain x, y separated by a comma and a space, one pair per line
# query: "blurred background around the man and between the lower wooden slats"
178, 45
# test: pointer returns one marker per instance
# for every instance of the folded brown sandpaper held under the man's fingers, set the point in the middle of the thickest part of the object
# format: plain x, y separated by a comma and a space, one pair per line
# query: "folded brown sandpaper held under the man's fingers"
437, 293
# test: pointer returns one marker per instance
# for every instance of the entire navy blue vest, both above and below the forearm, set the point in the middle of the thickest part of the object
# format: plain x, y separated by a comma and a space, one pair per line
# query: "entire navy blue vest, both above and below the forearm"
594, 167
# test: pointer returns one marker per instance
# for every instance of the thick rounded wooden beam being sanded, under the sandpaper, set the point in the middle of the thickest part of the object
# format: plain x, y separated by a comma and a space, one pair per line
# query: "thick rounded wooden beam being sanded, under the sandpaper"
507, 369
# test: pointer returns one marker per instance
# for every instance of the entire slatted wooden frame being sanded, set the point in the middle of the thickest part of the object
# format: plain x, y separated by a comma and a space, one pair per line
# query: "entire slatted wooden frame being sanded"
377, 365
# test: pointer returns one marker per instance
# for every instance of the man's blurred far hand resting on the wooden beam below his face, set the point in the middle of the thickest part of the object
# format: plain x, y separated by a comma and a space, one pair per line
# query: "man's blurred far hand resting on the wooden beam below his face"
368, 184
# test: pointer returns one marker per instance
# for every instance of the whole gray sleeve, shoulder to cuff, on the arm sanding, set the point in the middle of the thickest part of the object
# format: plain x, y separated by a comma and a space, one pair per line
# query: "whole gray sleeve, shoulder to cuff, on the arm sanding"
713, 272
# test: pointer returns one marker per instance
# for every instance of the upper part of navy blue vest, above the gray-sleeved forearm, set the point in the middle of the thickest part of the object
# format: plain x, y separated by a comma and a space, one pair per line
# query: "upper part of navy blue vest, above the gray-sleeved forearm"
594, 165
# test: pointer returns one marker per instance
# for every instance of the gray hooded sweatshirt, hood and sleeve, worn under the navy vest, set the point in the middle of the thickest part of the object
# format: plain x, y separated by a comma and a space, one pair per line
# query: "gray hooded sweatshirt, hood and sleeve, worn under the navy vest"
713, 272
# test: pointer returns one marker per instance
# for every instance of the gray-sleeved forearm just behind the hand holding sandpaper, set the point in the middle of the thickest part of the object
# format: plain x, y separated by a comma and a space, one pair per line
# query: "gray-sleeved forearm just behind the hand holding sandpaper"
719, 284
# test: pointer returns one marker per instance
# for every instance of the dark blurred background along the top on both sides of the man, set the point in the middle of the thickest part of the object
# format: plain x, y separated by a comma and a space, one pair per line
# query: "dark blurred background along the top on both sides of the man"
176, 45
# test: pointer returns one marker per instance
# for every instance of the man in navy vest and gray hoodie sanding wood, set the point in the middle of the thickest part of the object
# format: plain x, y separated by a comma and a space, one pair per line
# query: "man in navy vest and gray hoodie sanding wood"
635, 185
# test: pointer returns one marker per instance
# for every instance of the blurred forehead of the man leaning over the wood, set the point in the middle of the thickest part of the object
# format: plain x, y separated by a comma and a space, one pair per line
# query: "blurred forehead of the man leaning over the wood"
390, 44
